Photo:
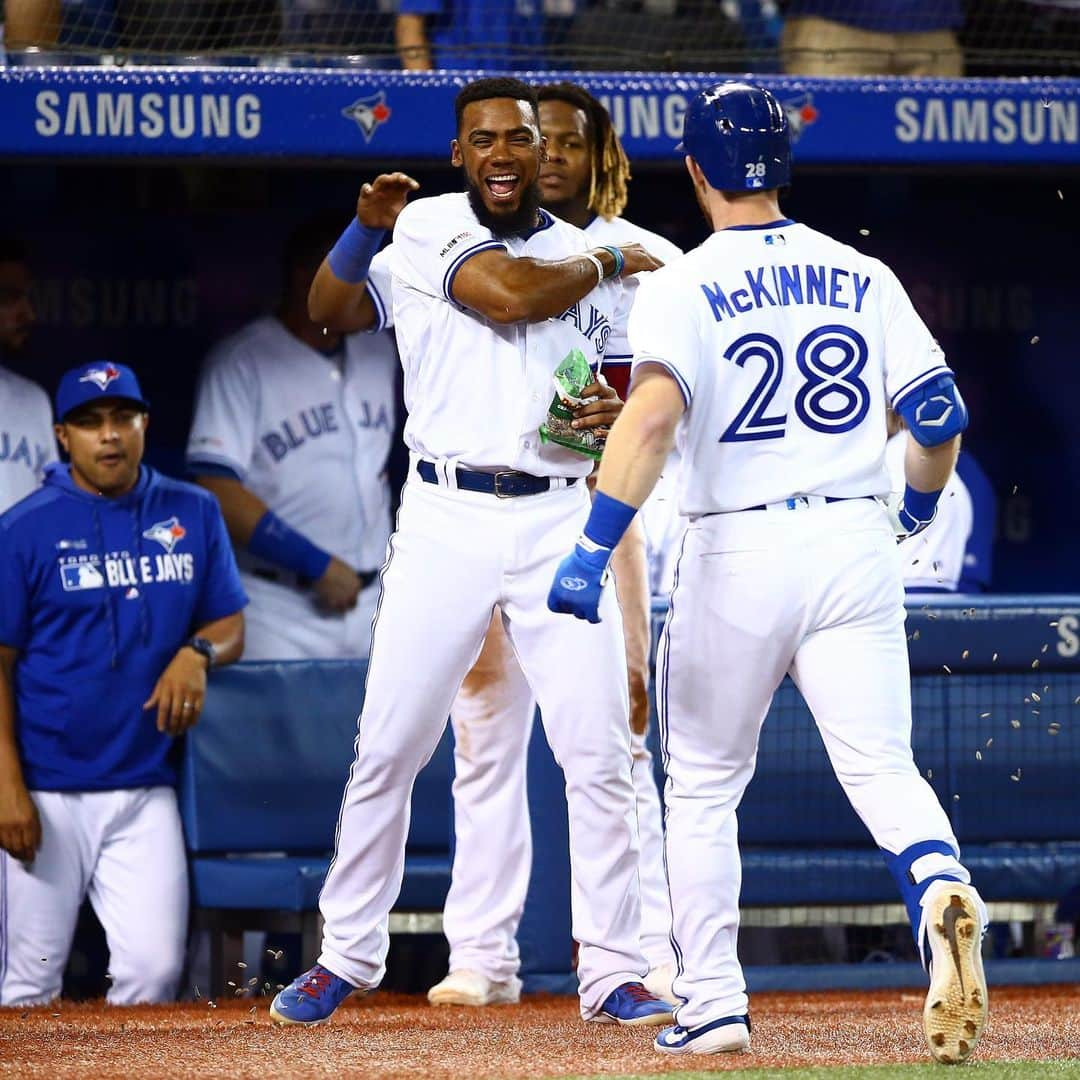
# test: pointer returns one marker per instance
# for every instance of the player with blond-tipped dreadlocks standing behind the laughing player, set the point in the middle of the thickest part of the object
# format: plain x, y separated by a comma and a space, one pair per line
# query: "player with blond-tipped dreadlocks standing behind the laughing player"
583, 182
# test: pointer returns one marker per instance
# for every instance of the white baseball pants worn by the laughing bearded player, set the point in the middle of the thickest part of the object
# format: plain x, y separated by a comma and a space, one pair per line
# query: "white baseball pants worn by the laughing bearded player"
455, 558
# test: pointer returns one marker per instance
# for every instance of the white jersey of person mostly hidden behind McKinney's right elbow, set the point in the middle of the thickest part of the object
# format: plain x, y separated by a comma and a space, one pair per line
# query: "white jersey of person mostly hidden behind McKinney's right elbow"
935, 559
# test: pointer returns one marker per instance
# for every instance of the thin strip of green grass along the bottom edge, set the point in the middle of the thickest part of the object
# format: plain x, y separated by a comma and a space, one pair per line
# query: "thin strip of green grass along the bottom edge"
982, 1071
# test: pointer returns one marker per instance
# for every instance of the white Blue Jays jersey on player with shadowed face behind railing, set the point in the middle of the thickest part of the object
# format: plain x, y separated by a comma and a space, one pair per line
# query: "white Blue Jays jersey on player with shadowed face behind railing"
307, 436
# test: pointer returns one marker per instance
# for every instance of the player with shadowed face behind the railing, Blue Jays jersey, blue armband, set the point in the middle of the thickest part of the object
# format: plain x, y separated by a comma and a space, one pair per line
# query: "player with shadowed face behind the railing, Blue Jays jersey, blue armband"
292, 433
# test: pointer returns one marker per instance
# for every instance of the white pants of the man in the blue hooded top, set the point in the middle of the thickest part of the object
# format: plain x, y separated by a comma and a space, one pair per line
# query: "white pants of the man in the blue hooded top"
125, 849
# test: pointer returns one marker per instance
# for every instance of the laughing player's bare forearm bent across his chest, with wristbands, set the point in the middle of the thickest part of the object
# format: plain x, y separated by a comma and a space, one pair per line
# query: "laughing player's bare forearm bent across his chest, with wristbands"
508, 290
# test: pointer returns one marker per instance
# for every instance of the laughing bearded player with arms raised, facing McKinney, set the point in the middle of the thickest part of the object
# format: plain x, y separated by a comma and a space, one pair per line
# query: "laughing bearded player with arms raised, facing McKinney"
491, 294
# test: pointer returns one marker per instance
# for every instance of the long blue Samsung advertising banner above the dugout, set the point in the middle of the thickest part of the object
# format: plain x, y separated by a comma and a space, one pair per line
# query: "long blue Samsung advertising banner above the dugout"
246, 113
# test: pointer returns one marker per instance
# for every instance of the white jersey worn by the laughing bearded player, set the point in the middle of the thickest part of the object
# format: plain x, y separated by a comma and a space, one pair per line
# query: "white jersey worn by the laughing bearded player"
484, 411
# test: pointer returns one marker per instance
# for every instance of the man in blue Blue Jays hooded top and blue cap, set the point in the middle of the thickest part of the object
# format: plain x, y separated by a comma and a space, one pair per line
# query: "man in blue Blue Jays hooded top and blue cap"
120, 591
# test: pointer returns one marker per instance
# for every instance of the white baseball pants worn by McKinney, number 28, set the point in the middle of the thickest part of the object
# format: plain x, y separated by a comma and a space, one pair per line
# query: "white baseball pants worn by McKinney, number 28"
817, 595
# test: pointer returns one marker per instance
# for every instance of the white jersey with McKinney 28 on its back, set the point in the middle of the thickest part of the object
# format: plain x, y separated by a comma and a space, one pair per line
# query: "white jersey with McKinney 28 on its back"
788, 347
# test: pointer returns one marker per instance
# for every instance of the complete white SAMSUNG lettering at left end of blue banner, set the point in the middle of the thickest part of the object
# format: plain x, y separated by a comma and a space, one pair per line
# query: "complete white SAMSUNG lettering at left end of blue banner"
148, 115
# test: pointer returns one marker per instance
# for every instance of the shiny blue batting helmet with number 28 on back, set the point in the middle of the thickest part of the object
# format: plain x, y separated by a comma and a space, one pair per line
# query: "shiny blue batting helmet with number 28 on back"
740, 138
